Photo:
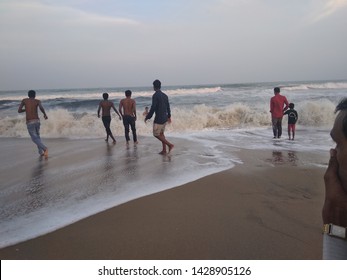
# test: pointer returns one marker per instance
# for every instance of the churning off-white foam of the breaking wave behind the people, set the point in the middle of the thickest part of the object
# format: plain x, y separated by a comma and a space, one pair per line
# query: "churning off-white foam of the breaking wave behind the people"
64, 123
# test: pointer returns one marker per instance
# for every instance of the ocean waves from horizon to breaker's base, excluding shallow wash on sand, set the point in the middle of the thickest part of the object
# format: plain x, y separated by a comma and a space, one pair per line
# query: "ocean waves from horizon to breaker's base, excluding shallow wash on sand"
72, 112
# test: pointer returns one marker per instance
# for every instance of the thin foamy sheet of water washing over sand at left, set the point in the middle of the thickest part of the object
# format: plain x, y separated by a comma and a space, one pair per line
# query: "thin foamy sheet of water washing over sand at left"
84, 178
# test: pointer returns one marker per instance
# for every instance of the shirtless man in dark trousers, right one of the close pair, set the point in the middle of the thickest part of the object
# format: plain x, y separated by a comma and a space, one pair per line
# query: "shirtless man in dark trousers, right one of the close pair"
127, 108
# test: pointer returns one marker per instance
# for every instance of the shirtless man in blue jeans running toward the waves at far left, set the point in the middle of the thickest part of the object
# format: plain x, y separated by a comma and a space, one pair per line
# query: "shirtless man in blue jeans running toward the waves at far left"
29, 106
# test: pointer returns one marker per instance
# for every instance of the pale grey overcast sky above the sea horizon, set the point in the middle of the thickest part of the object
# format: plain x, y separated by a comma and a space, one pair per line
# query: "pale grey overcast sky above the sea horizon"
46, 44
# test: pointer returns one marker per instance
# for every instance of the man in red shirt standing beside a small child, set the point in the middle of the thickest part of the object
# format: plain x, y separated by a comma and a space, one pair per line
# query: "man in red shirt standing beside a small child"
277, 108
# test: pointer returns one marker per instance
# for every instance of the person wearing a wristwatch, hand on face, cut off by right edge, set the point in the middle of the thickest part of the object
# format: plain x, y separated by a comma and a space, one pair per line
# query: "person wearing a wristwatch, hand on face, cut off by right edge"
334, 212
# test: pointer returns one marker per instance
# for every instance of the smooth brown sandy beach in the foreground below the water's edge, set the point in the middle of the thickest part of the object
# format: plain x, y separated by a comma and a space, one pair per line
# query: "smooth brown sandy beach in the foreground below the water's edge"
268, 207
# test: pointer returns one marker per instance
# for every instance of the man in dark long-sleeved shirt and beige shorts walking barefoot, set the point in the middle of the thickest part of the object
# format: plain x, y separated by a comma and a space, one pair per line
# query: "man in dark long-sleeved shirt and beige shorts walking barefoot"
161, 107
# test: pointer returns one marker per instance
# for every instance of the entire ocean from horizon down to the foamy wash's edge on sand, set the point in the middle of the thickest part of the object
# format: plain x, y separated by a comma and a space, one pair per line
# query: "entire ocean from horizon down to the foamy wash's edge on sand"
210, 123
